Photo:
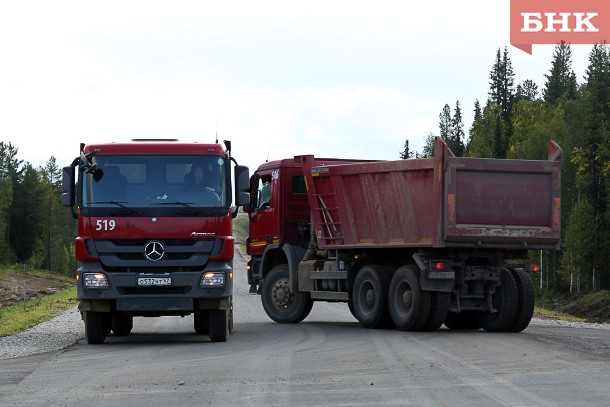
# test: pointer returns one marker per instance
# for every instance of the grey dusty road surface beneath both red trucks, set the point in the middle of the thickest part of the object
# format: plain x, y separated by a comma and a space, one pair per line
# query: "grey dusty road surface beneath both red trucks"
328, 359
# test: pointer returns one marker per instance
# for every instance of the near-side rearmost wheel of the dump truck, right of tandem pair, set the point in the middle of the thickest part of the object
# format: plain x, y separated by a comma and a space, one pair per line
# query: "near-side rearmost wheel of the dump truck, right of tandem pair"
409, 305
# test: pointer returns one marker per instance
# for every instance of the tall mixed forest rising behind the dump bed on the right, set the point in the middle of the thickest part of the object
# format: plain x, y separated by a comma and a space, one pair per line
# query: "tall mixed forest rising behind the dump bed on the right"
517, 121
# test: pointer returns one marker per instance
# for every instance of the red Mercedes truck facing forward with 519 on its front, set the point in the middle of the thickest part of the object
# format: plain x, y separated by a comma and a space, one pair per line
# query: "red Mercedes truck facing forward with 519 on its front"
154, 233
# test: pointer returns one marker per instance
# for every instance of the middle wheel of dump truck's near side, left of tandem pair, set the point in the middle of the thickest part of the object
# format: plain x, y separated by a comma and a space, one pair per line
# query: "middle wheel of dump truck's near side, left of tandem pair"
370, 297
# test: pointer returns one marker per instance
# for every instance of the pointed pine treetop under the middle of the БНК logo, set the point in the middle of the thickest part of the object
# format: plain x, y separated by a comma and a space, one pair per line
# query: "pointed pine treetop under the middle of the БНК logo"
561, 82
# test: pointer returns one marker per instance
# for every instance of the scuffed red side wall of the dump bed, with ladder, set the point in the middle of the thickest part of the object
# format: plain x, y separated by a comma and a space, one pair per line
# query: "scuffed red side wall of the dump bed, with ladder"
387, 204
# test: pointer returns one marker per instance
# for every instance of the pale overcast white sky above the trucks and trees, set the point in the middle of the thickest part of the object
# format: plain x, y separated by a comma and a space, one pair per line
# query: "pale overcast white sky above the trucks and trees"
346, 79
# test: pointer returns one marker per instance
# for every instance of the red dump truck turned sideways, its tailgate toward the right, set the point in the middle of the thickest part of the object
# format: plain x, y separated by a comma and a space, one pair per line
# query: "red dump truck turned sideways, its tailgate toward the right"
411, 244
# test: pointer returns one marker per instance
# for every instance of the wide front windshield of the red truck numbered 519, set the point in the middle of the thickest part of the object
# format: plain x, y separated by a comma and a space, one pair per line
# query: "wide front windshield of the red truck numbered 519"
144, 181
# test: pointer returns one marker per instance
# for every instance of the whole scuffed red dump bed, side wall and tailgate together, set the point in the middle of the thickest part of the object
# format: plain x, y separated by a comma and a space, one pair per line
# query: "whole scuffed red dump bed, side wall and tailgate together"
438, 202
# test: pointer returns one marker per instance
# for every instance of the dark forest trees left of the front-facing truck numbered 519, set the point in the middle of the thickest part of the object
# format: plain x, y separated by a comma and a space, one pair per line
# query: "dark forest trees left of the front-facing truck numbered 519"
35, 229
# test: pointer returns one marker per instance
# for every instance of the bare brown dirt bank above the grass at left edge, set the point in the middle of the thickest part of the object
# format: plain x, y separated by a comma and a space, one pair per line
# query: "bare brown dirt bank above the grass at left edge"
13, 285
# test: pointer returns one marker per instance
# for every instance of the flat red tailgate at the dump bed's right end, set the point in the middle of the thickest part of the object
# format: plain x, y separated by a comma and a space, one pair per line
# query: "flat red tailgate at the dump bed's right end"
503, 203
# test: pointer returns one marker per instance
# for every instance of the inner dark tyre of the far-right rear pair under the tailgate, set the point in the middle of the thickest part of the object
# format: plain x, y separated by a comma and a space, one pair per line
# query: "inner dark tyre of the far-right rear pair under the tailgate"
505, 301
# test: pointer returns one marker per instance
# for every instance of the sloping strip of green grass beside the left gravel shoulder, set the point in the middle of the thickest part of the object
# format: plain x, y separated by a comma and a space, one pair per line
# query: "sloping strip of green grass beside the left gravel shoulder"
22, 316
